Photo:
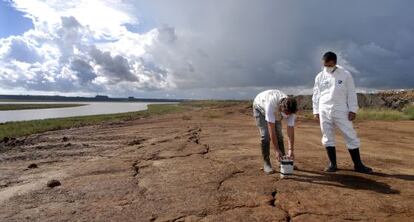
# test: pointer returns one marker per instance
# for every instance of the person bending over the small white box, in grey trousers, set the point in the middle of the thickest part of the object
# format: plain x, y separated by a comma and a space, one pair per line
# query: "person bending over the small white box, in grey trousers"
269, 108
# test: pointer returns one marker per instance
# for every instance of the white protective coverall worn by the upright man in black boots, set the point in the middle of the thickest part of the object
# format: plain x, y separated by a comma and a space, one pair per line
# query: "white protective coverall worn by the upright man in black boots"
333, 98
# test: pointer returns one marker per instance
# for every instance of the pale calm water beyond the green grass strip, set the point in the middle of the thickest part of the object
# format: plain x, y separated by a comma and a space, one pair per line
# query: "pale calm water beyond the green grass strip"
91, 108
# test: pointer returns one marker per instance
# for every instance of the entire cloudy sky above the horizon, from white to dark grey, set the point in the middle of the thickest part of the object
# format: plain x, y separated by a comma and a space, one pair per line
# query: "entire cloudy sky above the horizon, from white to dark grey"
227, 49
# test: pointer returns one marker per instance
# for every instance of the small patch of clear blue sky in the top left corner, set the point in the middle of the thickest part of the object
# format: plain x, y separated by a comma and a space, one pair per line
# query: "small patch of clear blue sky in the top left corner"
12, 21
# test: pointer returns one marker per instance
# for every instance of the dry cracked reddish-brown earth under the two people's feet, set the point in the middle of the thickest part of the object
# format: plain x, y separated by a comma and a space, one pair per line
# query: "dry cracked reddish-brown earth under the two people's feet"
202, 165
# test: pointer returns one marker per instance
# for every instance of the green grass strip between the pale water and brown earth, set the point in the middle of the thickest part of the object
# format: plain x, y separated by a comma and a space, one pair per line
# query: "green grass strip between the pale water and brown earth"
24, 128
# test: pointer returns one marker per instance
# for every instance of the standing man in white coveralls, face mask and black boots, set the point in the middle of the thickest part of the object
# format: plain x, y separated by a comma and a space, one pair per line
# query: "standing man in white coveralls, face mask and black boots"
335, 104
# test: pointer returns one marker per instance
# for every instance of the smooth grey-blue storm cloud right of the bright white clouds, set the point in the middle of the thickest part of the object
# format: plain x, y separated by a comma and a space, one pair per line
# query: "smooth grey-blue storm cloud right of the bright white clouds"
280, 43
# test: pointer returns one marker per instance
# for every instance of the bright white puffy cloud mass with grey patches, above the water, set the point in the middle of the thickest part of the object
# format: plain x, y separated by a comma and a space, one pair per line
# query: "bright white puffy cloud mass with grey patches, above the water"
79, 46
